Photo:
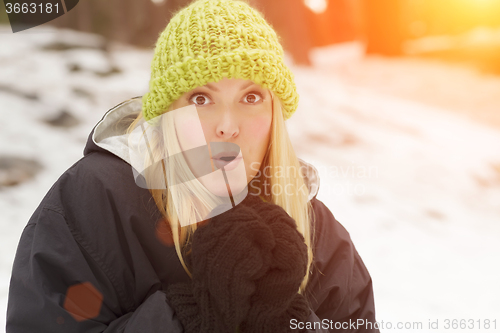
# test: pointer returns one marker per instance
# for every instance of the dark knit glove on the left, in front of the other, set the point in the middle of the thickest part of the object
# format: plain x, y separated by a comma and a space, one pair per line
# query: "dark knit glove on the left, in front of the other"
228, 255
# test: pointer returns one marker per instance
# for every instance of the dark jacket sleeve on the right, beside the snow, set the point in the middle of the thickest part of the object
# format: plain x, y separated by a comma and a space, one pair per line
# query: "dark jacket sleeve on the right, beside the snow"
340, 287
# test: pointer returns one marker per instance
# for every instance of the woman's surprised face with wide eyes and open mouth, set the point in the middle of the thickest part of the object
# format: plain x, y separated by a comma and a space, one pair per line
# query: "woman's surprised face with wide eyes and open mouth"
234, 111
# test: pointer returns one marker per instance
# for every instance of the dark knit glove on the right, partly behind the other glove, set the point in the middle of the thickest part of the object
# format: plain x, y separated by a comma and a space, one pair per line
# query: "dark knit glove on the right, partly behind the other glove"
276, 300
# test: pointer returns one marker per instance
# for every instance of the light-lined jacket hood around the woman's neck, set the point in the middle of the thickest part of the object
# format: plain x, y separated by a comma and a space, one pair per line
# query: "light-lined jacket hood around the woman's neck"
108, 136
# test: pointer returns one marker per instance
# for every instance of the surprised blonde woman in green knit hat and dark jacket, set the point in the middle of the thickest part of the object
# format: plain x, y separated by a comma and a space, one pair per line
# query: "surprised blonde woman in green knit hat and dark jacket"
189, 211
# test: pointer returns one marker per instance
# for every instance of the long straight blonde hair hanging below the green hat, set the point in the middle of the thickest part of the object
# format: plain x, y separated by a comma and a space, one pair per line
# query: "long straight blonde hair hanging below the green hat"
280, 156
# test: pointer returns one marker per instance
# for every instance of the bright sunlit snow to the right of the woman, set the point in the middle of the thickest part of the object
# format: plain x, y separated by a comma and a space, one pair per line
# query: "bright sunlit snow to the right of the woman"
426, 221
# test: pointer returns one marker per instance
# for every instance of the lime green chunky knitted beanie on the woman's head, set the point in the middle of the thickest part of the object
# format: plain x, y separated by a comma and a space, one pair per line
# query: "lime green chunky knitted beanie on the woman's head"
213, 39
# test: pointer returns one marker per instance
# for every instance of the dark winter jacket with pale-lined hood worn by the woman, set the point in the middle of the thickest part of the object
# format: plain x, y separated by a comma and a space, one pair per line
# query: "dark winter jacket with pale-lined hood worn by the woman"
89, 259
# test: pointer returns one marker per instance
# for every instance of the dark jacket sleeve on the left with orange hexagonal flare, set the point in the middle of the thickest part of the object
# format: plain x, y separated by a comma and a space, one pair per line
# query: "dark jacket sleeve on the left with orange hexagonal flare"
56, 286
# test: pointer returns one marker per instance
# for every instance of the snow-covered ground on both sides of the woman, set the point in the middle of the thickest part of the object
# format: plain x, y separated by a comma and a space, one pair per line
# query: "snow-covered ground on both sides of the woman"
403, 167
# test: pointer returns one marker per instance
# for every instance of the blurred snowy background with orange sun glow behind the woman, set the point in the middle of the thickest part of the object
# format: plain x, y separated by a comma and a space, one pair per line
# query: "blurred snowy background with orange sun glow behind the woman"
399, 111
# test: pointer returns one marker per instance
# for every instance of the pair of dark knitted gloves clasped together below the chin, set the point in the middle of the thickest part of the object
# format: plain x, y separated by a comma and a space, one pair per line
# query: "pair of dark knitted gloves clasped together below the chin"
247, 265
